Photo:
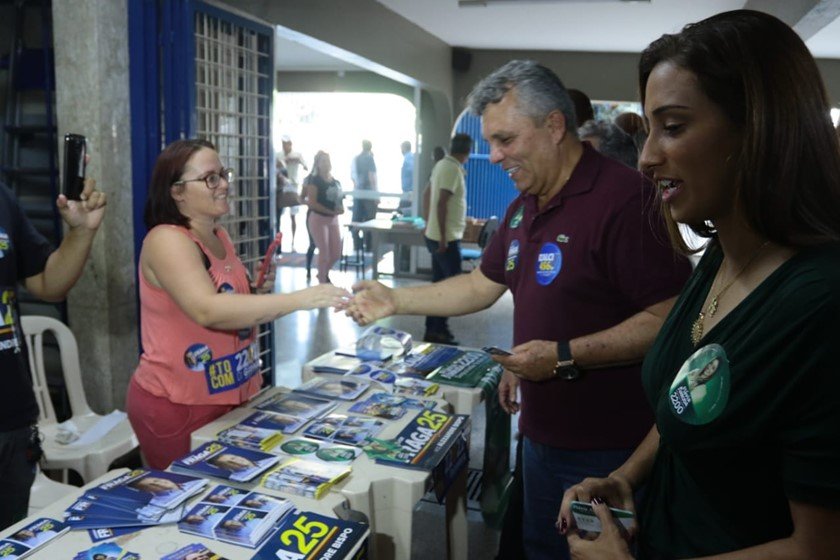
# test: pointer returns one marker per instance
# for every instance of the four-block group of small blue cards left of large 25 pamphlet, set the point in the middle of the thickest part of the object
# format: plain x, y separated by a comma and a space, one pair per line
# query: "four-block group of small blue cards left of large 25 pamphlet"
235, 516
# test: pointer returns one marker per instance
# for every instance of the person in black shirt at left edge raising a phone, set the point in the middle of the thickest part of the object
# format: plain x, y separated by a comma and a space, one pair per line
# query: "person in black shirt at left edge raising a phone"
26, 257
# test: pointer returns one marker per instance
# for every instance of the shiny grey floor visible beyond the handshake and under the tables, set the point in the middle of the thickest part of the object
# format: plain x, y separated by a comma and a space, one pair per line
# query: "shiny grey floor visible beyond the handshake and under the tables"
302, 336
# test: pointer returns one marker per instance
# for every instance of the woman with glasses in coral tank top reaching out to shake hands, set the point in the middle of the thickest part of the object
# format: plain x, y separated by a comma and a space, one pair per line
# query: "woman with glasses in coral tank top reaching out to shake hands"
200, 357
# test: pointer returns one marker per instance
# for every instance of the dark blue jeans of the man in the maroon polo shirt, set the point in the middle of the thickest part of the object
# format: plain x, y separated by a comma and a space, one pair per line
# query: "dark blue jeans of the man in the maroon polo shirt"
547, 473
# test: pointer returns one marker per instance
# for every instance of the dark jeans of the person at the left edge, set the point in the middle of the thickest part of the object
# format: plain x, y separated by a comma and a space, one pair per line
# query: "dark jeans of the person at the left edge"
17, 473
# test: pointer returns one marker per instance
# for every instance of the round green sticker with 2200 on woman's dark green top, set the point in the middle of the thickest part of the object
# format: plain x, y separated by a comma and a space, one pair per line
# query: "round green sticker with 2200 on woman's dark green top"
700, 390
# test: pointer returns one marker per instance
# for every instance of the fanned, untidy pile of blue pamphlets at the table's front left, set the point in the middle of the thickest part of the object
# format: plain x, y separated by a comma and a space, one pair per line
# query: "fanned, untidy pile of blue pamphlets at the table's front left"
137, 498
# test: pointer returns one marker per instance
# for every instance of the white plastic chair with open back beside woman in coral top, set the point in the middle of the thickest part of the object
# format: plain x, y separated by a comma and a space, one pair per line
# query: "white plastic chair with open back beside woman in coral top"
92, 460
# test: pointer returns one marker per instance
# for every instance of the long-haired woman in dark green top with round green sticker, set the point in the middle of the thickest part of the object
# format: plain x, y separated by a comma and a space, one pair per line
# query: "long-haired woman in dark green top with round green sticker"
744, 459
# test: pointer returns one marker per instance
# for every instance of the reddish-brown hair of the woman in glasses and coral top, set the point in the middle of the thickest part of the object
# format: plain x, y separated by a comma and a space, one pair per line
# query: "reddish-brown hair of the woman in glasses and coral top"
160, 206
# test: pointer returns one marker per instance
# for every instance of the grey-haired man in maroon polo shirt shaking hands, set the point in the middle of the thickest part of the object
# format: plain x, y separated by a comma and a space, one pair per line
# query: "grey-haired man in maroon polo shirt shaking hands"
587, 259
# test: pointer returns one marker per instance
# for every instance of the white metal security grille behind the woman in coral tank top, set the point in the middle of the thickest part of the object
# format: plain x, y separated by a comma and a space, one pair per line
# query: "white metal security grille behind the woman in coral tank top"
233, 84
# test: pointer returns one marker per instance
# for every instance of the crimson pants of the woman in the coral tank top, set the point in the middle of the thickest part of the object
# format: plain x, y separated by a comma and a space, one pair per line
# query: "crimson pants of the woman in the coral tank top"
164, 427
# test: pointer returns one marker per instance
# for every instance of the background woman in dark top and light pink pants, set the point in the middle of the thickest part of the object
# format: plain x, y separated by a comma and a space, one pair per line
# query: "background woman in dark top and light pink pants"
323, 196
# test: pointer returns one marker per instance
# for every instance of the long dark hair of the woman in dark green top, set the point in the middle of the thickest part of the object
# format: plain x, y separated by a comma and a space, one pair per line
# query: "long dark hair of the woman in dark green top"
761, 74
